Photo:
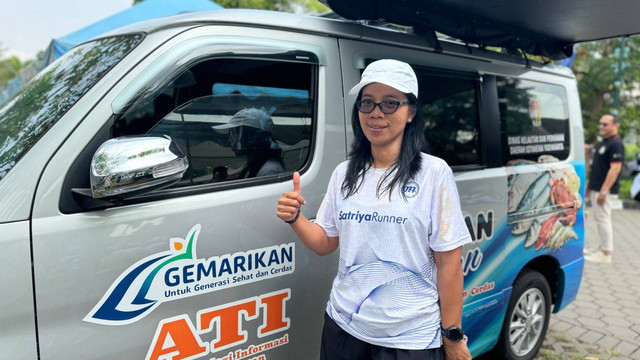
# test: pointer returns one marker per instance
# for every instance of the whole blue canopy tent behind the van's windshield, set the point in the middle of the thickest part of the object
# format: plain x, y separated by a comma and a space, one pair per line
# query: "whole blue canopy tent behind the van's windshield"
145, 10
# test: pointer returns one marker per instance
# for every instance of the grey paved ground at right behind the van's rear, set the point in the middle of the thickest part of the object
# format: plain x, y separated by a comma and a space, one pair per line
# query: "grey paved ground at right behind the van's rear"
604, 320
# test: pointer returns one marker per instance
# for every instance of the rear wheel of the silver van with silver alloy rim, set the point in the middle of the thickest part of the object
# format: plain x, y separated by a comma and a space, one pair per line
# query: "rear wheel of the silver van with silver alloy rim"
527, 319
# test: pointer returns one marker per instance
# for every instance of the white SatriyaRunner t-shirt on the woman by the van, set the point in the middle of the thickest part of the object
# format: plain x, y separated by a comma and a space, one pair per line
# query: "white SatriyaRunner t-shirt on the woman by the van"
385, 291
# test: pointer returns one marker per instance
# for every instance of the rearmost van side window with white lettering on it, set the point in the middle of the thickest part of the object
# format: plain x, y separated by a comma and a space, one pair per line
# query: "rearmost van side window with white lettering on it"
534, 120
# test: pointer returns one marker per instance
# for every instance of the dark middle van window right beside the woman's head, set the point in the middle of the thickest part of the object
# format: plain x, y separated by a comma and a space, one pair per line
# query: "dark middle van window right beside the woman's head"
450, 111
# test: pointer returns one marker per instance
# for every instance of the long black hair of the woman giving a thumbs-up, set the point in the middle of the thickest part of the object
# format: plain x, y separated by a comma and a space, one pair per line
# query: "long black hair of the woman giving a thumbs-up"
406, 166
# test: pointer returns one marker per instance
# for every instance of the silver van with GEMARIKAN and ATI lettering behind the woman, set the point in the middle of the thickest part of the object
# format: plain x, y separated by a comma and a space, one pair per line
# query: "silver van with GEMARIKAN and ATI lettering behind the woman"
137, 221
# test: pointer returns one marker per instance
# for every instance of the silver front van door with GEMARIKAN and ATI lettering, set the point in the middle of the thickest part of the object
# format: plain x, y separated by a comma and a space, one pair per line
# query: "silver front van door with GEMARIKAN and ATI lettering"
203, 268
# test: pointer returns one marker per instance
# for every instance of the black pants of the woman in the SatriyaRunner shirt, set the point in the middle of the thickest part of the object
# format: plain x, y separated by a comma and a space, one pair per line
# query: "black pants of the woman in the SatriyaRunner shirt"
337, 344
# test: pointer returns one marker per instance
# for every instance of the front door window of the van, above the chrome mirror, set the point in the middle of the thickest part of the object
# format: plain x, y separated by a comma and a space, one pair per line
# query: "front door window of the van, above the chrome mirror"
232, 118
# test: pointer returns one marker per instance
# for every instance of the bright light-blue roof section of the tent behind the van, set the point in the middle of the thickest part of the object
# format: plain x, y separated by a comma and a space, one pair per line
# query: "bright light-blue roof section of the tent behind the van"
145, 10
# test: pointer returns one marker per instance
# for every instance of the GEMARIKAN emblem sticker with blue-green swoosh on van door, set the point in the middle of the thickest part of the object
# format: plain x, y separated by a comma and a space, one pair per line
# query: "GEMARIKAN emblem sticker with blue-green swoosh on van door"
178, 273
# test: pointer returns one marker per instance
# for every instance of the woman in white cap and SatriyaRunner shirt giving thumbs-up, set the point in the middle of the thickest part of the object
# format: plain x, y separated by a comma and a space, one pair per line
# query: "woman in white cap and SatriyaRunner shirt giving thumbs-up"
396, 215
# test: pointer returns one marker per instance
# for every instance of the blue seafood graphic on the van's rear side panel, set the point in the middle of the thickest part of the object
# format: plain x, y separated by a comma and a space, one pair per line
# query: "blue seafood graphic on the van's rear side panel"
544, 225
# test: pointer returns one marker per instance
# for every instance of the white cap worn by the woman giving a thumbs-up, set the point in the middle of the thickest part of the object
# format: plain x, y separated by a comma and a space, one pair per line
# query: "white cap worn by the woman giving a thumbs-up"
397, 74
